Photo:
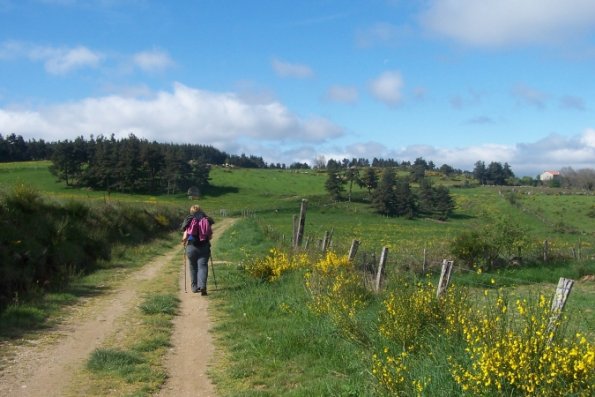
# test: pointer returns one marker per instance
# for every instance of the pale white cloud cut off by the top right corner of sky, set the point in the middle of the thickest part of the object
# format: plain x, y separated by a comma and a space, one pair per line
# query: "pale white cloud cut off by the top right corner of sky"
509, 22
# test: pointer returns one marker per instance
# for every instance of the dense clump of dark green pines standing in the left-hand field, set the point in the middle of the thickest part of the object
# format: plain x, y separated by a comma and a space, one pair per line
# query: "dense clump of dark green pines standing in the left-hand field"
133, 165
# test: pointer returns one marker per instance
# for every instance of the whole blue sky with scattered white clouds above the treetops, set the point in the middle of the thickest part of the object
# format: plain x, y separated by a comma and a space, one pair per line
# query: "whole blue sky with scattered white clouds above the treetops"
452, 81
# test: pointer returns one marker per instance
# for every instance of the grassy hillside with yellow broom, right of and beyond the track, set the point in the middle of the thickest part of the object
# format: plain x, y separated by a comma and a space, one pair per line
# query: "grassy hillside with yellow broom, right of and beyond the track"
318, 329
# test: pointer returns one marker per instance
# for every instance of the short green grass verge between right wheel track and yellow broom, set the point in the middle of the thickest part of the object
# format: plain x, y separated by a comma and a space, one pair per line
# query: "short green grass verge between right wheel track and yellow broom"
282, 349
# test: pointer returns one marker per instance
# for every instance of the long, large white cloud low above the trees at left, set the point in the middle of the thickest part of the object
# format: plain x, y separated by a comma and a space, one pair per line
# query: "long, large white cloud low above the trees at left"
183, 115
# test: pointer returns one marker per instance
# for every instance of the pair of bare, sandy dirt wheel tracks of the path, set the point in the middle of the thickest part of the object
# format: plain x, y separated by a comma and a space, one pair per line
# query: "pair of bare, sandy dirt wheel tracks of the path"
44, 365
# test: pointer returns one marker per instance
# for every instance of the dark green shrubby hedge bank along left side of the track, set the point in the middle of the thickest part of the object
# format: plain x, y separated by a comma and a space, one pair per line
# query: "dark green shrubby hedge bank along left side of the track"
43, 244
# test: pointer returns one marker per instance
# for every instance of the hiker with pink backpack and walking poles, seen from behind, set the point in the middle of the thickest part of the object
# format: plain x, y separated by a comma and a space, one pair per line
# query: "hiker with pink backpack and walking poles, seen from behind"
196, 238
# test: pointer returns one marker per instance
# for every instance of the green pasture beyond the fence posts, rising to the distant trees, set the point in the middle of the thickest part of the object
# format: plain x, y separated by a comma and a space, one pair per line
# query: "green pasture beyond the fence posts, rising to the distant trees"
565, 219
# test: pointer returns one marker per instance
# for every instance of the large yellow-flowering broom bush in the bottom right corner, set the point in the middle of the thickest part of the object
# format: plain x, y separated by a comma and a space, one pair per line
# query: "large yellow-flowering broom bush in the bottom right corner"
515, 350
